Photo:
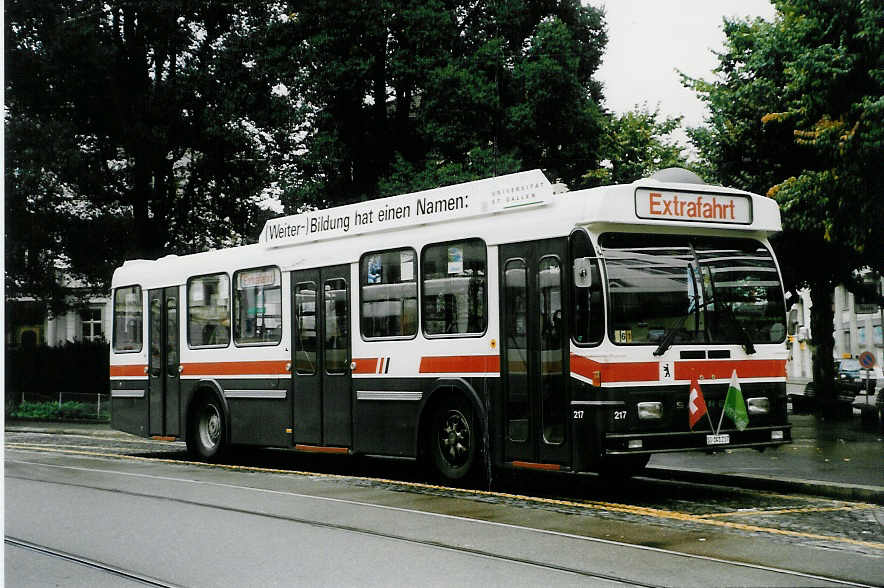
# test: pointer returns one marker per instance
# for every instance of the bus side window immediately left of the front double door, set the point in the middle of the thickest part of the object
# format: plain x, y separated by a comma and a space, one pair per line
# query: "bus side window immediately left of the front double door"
454, 288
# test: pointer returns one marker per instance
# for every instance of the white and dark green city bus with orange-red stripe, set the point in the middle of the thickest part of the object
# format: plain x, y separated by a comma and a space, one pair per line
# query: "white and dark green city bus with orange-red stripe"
505, 322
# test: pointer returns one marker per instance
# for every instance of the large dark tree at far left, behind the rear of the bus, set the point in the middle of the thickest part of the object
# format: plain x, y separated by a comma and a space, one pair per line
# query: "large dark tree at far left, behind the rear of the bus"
134, 129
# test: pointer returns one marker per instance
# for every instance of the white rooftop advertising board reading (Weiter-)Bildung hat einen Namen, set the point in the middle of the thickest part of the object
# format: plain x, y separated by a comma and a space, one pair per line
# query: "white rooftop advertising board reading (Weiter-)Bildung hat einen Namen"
487, 196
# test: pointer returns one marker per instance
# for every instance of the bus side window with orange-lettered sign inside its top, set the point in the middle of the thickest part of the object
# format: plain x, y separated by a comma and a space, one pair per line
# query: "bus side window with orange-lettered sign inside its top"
257, 307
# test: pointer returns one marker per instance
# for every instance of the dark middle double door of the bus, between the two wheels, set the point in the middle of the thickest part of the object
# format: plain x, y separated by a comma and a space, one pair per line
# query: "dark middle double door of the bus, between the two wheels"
321, 357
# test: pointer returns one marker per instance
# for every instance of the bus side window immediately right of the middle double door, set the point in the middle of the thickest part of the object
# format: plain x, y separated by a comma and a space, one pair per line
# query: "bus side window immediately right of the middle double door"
388, 294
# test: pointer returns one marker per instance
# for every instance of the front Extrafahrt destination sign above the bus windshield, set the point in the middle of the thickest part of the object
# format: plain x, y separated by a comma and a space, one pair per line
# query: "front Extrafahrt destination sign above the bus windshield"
693, 206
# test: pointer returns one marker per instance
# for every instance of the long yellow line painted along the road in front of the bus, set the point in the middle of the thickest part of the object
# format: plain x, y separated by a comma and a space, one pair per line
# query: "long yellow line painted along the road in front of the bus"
591, 505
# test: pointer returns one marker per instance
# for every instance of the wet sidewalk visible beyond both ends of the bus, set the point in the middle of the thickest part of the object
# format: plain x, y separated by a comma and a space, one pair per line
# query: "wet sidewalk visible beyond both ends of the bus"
836, 459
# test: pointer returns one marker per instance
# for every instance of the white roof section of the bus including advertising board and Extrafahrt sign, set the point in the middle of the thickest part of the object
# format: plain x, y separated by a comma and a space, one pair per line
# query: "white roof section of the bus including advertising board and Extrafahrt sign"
512, 208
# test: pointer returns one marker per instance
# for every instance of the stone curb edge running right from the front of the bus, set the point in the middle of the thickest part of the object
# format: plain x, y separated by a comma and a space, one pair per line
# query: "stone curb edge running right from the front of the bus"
836, 490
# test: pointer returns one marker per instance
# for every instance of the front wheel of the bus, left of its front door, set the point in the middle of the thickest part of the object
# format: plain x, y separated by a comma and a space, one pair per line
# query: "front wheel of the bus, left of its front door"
454, 439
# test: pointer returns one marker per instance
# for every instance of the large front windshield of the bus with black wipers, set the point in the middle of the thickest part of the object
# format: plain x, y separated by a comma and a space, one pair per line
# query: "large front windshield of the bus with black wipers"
692, 290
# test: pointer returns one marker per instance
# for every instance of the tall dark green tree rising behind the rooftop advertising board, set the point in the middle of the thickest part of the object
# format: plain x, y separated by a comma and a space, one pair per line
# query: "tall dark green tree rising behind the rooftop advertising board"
398, 90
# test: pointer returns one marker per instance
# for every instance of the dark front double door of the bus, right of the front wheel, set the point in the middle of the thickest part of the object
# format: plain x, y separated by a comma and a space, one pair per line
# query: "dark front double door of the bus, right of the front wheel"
534, 351
